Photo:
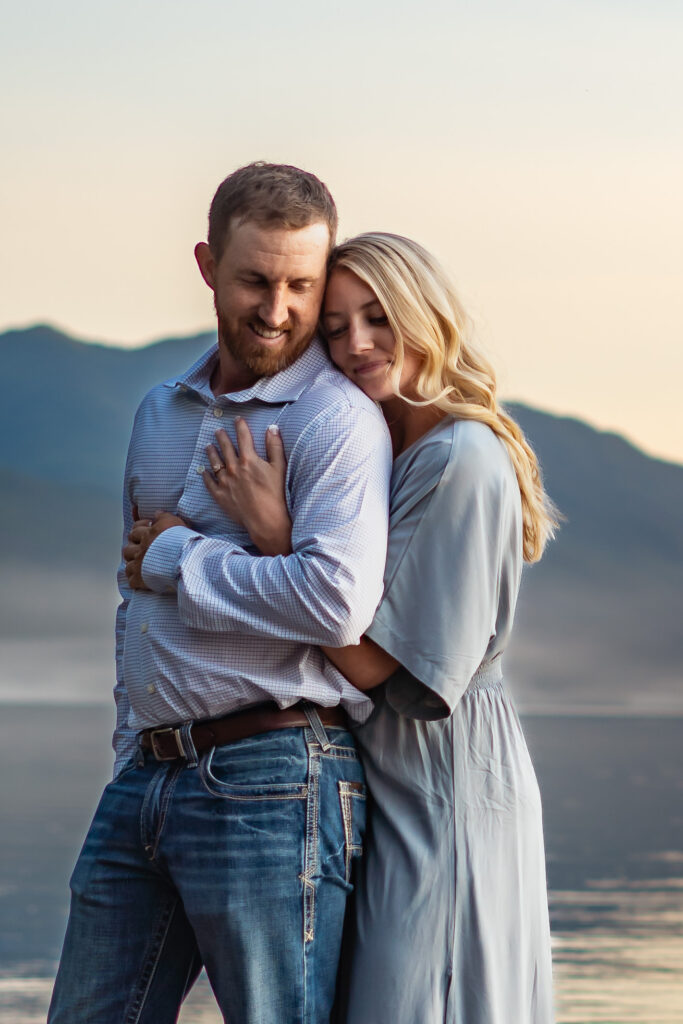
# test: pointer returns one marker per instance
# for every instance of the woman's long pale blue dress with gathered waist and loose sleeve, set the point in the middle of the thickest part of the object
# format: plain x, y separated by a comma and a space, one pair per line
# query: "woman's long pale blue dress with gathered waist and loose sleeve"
452, 914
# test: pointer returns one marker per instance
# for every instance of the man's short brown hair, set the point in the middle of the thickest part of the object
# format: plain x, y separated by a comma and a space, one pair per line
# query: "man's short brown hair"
275, 195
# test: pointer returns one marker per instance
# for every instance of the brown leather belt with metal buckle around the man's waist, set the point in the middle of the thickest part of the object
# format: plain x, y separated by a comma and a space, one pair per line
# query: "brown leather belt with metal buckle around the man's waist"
166, 743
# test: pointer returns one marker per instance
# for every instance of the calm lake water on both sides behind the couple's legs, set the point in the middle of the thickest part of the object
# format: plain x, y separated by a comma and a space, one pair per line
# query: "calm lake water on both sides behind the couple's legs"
613, 792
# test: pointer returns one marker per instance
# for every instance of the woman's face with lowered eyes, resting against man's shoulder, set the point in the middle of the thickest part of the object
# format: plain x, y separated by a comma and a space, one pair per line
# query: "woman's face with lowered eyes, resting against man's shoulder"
362, 343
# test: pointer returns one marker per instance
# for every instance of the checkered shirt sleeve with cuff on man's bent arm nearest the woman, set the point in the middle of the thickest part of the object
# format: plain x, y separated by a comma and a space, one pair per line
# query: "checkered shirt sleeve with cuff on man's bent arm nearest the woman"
328, 589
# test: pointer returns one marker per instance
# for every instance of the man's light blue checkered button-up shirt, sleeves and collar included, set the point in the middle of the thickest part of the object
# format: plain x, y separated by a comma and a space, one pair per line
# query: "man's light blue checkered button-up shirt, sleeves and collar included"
221, 629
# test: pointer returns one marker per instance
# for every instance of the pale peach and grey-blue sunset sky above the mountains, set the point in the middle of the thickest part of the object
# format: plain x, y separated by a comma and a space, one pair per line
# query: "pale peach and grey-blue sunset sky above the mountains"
536, 147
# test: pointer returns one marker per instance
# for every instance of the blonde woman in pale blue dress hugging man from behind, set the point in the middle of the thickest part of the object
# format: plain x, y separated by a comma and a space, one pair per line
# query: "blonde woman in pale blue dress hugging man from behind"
451, 918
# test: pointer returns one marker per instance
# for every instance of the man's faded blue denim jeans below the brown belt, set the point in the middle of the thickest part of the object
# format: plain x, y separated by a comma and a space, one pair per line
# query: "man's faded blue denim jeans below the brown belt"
241, 863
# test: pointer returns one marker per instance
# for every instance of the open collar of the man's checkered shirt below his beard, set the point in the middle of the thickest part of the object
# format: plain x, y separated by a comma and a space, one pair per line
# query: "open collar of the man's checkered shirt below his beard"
288, 386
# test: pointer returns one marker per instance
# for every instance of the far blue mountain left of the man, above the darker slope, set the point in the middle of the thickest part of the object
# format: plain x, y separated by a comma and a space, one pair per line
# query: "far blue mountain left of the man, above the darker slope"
71, 404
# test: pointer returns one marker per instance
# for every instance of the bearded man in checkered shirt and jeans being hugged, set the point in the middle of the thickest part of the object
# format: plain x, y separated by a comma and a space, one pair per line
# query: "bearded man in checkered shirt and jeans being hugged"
228, 835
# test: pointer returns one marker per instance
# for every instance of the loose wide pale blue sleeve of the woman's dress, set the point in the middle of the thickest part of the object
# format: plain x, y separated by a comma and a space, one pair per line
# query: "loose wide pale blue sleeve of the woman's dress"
442, 585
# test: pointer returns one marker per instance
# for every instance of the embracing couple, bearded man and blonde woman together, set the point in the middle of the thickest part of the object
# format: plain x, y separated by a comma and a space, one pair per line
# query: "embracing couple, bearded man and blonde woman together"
326, 520
